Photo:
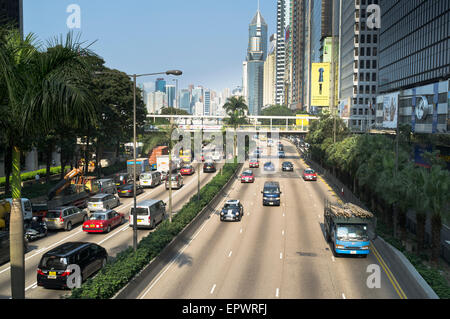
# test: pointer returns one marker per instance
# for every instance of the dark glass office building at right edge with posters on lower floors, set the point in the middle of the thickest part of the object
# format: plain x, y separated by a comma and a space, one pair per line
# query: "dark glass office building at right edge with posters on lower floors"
414, 65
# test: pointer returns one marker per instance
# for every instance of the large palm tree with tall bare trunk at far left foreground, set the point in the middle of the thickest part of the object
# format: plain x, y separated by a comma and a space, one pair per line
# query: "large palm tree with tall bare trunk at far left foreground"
43, 88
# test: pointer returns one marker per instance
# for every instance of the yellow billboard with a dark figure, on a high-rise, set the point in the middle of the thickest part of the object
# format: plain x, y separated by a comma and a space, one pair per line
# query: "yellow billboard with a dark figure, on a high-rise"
320, 84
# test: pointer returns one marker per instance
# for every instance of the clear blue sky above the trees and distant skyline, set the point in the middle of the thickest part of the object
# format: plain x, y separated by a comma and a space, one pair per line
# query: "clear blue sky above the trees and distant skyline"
206, 39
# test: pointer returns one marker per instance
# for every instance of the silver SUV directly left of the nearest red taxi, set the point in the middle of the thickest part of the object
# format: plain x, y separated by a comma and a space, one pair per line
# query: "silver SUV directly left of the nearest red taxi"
65, 217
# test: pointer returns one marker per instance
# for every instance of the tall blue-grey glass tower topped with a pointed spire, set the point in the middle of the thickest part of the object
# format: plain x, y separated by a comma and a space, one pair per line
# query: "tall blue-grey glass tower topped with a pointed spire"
256, 55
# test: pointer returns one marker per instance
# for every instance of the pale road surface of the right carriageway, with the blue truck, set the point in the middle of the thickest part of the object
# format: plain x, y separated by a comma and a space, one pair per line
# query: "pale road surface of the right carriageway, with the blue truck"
274, 252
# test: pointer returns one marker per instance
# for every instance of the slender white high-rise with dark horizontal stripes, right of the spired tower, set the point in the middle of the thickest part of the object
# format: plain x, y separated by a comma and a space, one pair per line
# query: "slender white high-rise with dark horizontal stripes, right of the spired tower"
282, 37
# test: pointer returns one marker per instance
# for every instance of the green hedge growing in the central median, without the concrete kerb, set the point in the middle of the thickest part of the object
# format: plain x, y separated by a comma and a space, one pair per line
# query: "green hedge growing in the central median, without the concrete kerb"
118, 272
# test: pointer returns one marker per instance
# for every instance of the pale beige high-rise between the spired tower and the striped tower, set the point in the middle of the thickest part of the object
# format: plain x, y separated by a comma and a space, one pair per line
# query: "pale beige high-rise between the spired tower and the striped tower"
270, 67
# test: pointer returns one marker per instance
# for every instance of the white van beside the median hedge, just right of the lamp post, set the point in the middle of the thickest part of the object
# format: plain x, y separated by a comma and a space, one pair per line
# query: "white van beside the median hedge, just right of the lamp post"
148, 213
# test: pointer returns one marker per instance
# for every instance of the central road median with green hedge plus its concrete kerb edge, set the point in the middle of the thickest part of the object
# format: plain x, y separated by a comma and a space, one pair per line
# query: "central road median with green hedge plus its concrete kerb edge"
121, 276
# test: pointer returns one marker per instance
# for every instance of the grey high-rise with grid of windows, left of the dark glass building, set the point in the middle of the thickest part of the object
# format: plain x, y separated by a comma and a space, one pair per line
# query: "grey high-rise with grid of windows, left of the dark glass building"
358, 65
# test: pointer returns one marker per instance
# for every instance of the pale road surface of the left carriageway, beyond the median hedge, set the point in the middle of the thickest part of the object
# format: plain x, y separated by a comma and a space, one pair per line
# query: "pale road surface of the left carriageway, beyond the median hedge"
114, 242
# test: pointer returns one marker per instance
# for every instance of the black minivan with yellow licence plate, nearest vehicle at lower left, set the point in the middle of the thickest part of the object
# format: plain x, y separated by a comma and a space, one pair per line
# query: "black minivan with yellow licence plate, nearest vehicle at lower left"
56, 266
